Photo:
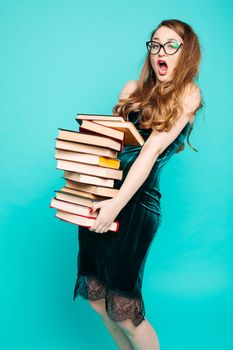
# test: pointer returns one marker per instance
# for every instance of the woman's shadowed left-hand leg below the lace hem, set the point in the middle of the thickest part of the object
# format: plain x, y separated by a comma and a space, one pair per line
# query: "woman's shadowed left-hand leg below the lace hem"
116, 332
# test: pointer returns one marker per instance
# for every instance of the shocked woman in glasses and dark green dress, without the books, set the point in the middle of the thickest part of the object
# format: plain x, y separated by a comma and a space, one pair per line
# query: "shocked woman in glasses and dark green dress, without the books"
162, 105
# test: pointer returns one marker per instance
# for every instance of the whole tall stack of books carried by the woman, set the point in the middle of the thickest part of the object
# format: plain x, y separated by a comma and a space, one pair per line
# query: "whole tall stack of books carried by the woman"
88, 158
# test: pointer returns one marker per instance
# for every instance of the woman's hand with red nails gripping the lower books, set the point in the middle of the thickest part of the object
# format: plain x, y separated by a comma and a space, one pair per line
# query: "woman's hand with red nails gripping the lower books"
107, 214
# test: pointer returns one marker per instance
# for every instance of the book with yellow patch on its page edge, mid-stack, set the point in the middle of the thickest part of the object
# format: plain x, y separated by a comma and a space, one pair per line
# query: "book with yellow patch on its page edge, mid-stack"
87, 158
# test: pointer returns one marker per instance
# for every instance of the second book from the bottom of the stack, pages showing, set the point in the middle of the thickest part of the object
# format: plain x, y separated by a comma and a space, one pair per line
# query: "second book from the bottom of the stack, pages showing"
72, 208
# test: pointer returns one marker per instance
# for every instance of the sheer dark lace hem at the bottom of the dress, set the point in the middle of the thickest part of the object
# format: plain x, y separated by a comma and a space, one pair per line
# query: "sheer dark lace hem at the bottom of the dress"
119, 306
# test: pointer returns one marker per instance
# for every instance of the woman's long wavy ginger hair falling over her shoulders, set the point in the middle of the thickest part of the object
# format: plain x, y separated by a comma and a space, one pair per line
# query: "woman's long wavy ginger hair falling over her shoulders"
161, 104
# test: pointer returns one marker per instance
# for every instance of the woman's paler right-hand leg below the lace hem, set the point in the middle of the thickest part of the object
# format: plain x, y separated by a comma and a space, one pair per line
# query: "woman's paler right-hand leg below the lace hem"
142, 336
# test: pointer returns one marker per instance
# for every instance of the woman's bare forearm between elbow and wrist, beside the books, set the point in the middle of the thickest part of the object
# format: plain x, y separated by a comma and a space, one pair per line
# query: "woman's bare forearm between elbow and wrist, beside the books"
136, 176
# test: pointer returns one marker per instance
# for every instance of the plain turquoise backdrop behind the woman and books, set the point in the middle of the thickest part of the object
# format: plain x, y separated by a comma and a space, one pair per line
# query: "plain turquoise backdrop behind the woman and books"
59, 58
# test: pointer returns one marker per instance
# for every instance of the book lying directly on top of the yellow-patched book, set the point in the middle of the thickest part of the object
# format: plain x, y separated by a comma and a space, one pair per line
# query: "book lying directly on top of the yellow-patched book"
85, 148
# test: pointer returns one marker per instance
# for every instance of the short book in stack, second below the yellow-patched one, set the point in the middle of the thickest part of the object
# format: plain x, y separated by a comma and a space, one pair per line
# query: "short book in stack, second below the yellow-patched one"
89, 179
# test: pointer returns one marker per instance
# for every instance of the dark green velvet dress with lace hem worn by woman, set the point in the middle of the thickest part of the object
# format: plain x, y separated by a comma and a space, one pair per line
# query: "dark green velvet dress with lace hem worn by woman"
111, 265
